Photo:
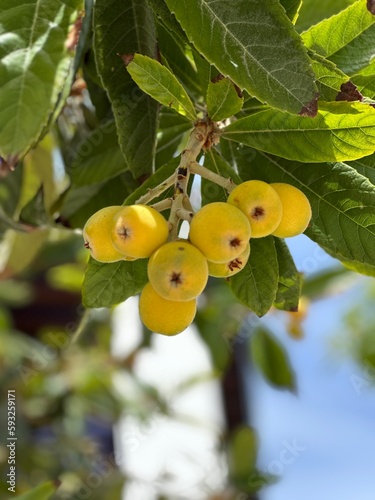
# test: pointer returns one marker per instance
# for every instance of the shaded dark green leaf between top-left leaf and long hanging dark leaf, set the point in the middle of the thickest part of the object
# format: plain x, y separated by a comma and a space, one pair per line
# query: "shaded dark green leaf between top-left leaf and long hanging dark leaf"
98, 157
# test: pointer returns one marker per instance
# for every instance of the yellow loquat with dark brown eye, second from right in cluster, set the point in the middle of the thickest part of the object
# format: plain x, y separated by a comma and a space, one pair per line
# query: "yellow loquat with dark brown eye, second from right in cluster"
261, 205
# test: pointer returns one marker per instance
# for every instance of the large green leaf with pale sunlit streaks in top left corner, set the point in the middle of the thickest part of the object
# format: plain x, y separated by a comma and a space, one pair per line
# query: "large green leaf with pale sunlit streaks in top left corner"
35, 57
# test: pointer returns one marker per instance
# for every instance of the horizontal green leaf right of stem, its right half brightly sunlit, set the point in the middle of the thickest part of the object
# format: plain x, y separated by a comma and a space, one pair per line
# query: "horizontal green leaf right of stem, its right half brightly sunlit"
341, 131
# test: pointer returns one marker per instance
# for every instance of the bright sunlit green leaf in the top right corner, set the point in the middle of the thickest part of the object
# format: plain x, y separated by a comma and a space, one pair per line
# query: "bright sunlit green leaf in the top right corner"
346, 38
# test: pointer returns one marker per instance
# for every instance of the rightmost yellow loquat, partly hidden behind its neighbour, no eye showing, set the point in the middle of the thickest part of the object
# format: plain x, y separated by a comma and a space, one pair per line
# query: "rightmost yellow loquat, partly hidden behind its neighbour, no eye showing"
296, 210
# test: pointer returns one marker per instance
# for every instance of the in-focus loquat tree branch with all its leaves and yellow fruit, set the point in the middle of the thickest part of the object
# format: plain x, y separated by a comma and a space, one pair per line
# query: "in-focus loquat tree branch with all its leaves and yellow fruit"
116, 117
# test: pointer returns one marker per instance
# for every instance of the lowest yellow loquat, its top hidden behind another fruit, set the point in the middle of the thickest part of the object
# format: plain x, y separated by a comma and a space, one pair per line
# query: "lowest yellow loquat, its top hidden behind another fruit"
165, 316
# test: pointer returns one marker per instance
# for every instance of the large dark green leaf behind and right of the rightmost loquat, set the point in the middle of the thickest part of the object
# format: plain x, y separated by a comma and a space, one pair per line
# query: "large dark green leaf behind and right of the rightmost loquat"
342, 202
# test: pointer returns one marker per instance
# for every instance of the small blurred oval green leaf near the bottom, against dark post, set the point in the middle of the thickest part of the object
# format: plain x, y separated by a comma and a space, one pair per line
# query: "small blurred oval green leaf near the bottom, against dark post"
242, 452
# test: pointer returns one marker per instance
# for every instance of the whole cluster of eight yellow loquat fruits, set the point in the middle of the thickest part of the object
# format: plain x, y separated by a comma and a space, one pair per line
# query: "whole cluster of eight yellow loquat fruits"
218, 245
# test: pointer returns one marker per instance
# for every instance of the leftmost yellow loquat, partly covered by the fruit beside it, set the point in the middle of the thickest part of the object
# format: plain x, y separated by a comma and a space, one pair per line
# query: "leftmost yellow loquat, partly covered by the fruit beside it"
97, 235
